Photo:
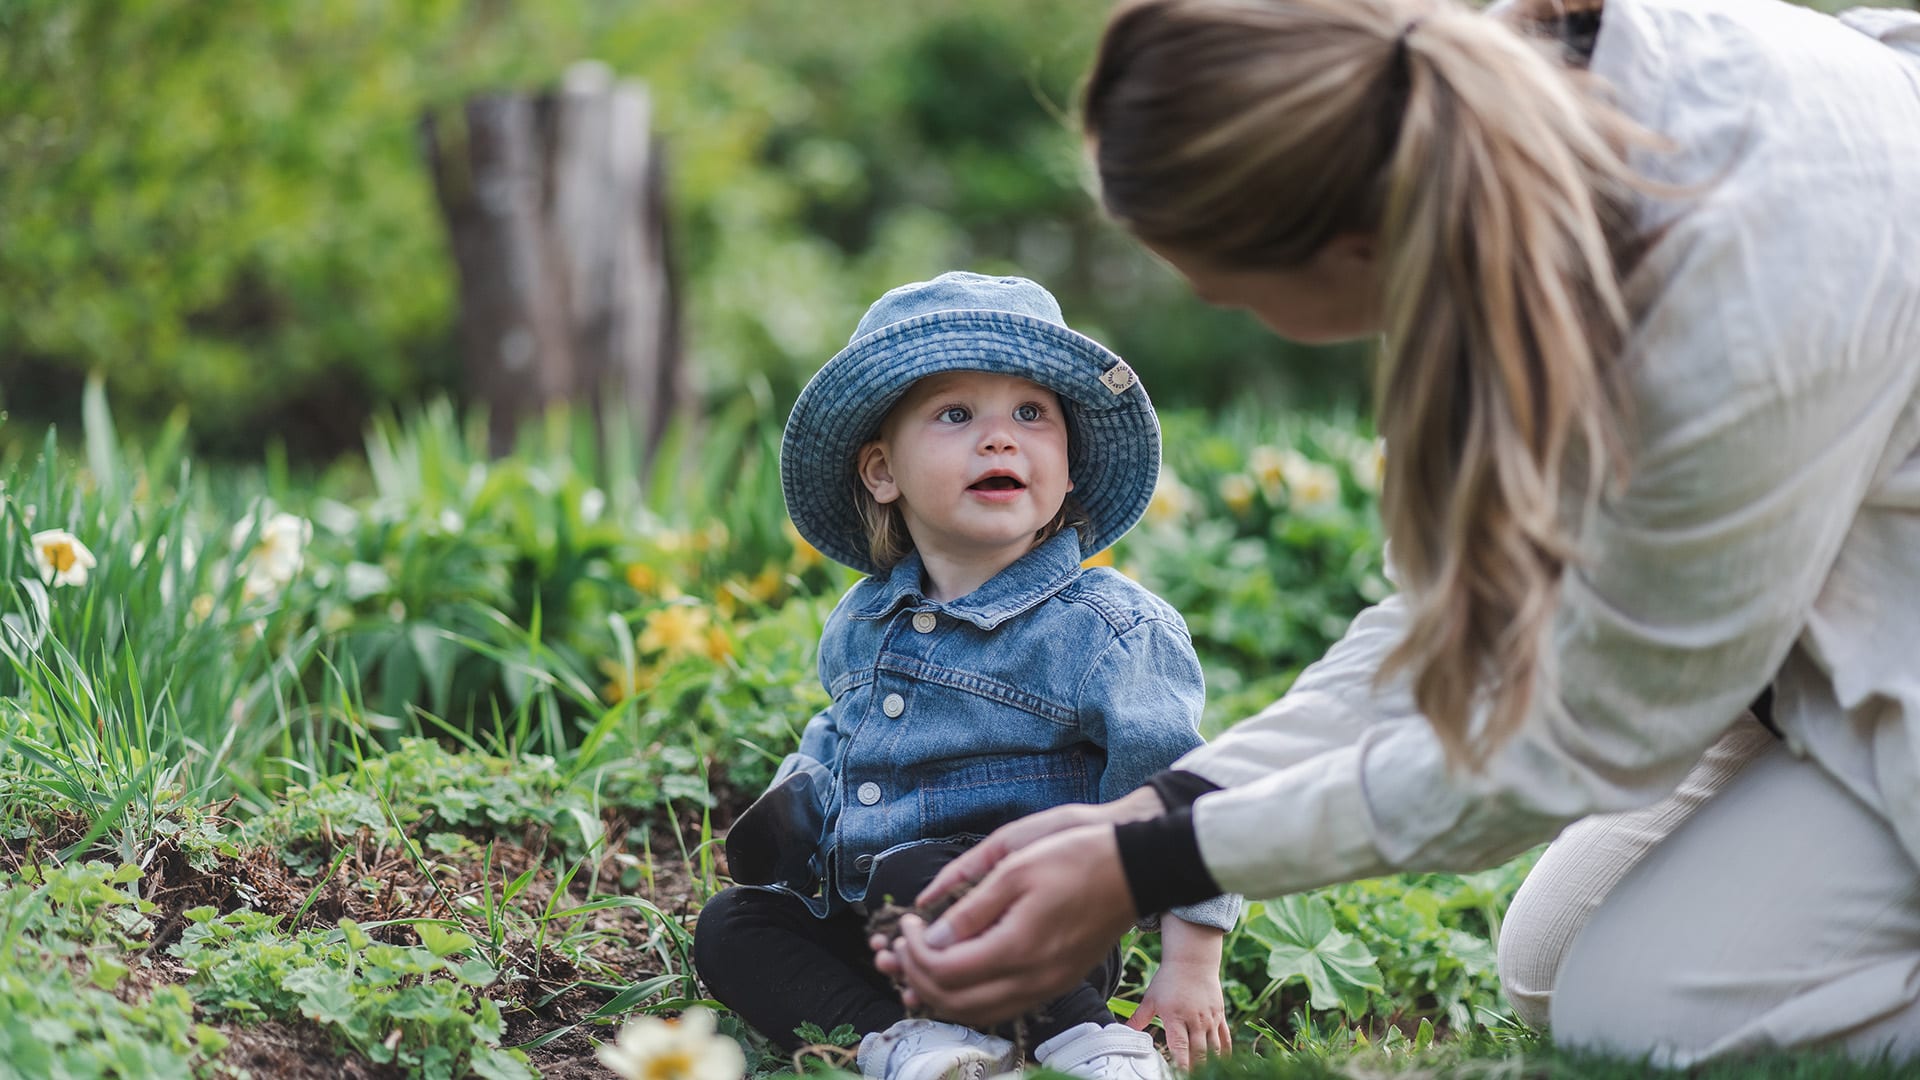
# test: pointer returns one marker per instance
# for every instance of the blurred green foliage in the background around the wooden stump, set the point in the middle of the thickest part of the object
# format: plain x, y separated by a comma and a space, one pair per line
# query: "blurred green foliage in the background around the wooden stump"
226, 207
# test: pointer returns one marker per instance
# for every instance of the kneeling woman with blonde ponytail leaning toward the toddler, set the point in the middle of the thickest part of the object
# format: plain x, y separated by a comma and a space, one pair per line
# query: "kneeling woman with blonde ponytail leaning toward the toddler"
1652, 401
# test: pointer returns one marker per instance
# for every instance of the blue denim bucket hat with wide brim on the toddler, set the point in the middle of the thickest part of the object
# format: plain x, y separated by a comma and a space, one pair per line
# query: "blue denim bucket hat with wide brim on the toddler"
967, 322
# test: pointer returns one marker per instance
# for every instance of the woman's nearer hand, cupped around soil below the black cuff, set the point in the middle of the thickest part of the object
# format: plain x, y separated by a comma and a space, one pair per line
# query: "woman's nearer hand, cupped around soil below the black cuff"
1034, 927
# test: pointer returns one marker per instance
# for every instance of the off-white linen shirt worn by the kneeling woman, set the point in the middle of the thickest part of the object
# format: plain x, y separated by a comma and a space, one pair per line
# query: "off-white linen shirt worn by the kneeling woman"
1773, 516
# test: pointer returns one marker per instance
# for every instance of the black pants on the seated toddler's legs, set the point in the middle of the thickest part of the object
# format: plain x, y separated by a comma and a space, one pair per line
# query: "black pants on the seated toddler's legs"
765, 956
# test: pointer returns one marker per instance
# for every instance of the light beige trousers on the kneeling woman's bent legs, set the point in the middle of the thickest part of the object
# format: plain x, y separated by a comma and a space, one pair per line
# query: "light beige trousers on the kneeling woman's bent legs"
1760, 906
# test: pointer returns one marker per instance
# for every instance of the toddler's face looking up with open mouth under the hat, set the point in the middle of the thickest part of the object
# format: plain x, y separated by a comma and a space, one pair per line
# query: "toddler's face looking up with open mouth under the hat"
976, 462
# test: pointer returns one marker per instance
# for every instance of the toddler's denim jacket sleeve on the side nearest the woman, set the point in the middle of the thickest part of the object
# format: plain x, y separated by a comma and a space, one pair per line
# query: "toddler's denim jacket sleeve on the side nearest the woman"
1141, 702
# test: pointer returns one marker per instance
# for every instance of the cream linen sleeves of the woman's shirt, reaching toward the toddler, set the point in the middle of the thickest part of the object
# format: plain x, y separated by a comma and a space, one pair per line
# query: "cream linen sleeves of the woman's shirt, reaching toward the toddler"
1764, 408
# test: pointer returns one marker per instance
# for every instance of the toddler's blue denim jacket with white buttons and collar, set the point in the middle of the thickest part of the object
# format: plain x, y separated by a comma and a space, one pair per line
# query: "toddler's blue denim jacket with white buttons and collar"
1047, 685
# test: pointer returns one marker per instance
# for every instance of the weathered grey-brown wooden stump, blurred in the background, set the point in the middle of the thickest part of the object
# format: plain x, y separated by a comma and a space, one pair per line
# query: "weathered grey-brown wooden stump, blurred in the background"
558, 220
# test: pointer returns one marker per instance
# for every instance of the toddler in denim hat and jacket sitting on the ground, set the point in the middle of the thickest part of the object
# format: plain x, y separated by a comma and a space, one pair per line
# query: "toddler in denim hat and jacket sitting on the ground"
969, 453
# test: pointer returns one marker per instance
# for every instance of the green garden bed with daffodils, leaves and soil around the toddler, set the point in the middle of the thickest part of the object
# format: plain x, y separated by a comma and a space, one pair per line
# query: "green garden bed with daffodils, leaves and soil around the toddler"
420, 768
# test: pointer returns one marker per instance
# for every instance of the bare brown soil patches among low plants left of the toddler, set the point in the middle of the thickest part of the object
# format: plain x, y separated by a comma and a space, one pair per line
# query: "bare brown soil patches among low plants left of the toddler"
540, 989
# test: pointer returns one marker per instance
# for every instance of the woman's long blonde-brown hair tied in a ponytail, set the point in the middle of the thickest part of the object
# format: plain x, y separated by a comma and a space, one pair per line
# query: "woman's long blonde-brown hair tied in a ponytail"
1251, 134
